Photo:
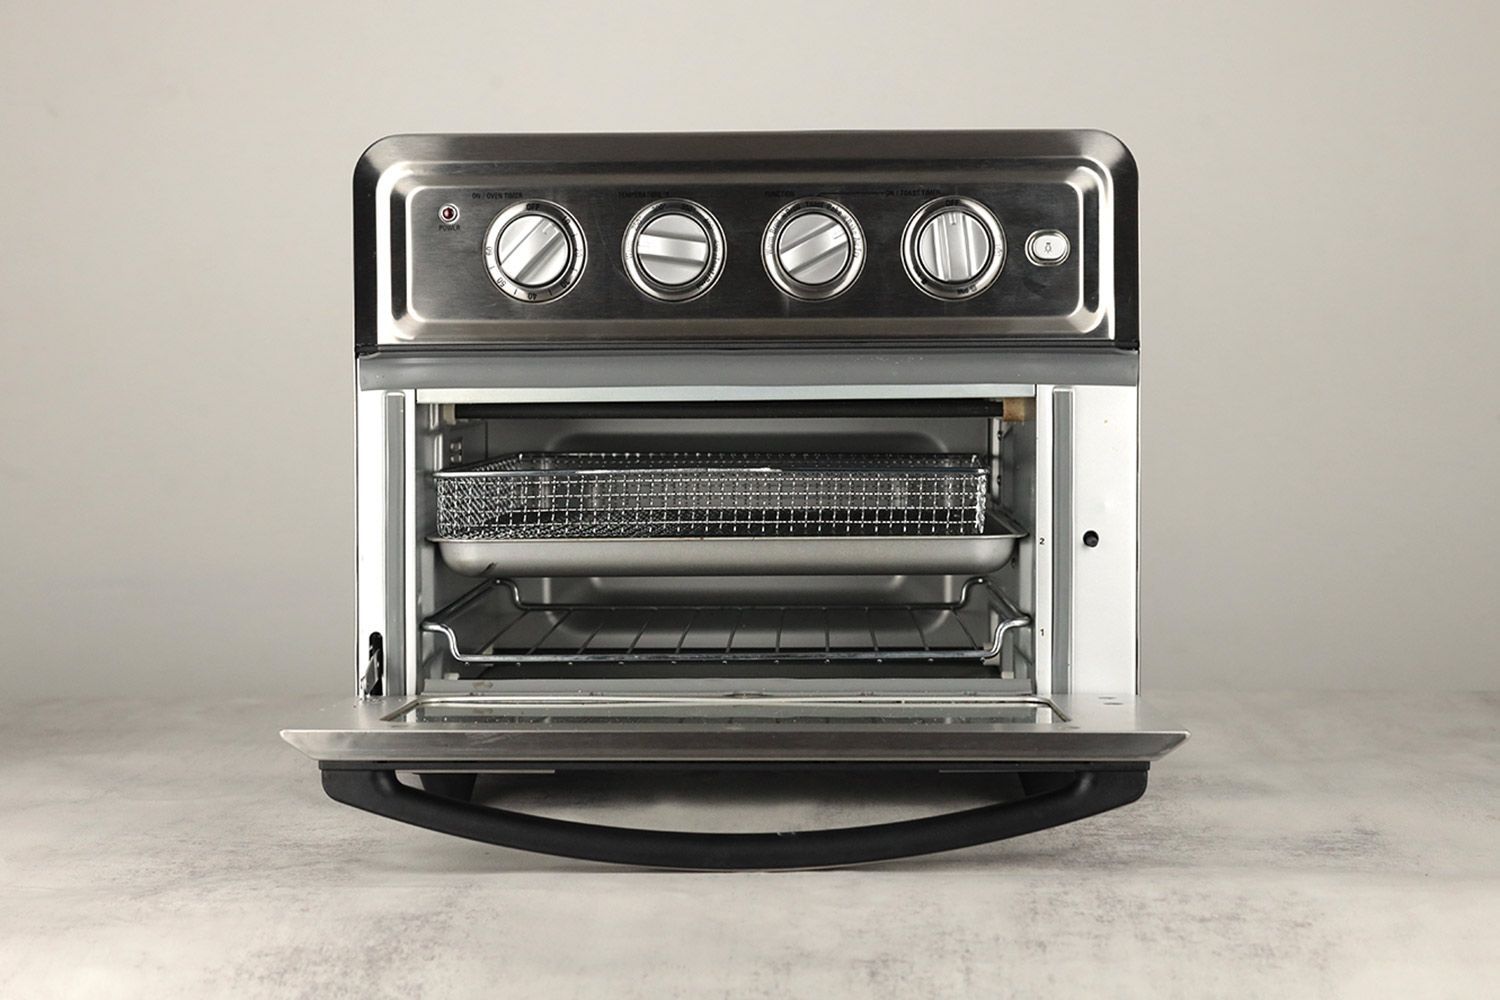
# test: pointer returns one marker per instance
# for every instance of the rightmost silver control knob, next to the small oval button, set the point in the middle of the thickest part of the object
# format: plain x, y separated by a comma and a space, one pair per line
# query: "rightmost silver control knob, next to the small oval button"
953, 248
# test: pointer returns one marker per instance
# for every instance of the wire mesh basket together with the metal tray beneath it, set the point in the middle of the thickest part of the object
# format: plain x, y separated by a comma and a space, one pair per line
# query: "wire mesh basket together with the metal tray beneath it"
706, 513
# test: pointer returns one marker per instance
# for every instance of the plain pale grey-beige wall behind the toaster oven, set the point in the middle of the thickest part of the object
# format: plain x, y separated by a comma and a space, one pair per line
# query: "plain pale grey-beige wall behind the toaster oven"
1319, 248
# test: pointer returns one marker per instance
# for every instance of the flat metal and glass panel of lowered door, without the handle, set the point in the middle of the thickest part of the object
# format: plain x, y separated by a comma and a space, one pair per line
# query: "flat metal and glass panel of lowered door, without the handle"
674, 728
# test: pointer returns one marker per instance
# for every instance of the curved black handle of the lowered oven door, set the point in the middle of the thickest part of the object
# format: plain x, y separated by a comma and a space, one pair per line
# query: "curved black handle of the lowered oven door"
1079, 794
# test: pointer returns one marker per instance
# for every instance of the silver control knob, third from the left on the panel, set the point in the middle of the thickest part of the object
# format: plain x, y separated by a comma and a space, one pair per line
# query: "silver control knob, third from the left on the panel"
814, 250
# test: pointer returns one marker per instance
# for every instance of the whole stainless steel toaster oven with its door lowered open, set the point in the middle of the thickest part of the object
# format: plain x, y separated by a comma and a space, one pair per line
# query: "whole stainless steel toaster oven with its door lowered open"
745, 452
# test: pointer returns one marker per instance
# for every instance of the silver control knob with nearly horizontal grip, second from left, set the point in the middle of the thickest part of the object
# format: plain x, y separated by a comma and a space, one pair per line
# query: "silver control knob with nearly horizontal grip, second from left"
674, 250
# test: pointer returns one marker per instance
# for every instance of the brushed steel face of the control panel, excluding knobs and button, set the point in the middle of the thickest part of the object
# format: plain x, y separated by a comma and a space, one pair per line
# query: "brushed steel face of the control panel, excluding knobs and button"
419, 283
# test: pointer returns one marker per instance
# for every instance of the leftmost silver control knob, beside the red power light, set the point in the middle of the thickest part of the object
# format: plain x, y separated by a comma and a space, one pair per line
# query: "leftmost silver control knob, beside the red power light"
535, 251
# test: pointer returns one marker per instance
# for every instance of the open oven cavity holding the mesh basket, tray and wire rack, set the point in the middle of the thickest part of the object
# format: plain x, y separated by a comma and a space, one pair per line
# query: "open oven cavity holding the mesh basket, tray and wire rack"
830, 602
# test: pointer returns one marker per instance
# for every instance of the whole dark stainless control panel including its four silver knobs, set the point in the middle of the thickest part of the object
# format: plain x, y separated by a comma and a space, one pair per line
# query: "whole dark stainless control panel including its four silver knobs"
914, 238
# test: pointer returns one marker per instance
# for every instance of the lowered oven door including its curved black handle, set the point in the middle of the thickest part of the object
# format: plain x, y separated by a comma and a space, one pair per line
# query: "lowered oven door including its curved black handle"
1076, 756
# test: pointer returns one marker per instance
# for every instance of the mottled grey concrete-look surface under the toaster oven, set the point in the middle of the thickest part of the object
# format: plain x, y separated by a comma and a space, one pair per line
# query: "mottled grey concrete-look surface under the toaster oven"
1337, 845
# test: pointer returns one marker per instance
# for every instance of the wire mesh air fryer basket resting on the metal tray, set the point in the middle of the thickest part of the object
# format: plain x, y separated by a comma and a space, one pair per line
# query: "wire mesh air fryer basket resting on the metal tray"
664, 496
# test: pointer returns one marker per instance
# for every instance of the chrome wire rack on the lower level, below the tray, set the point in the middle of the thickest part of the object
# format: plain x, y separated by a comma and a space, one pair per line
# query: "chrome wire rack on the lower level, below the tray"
493, 624
